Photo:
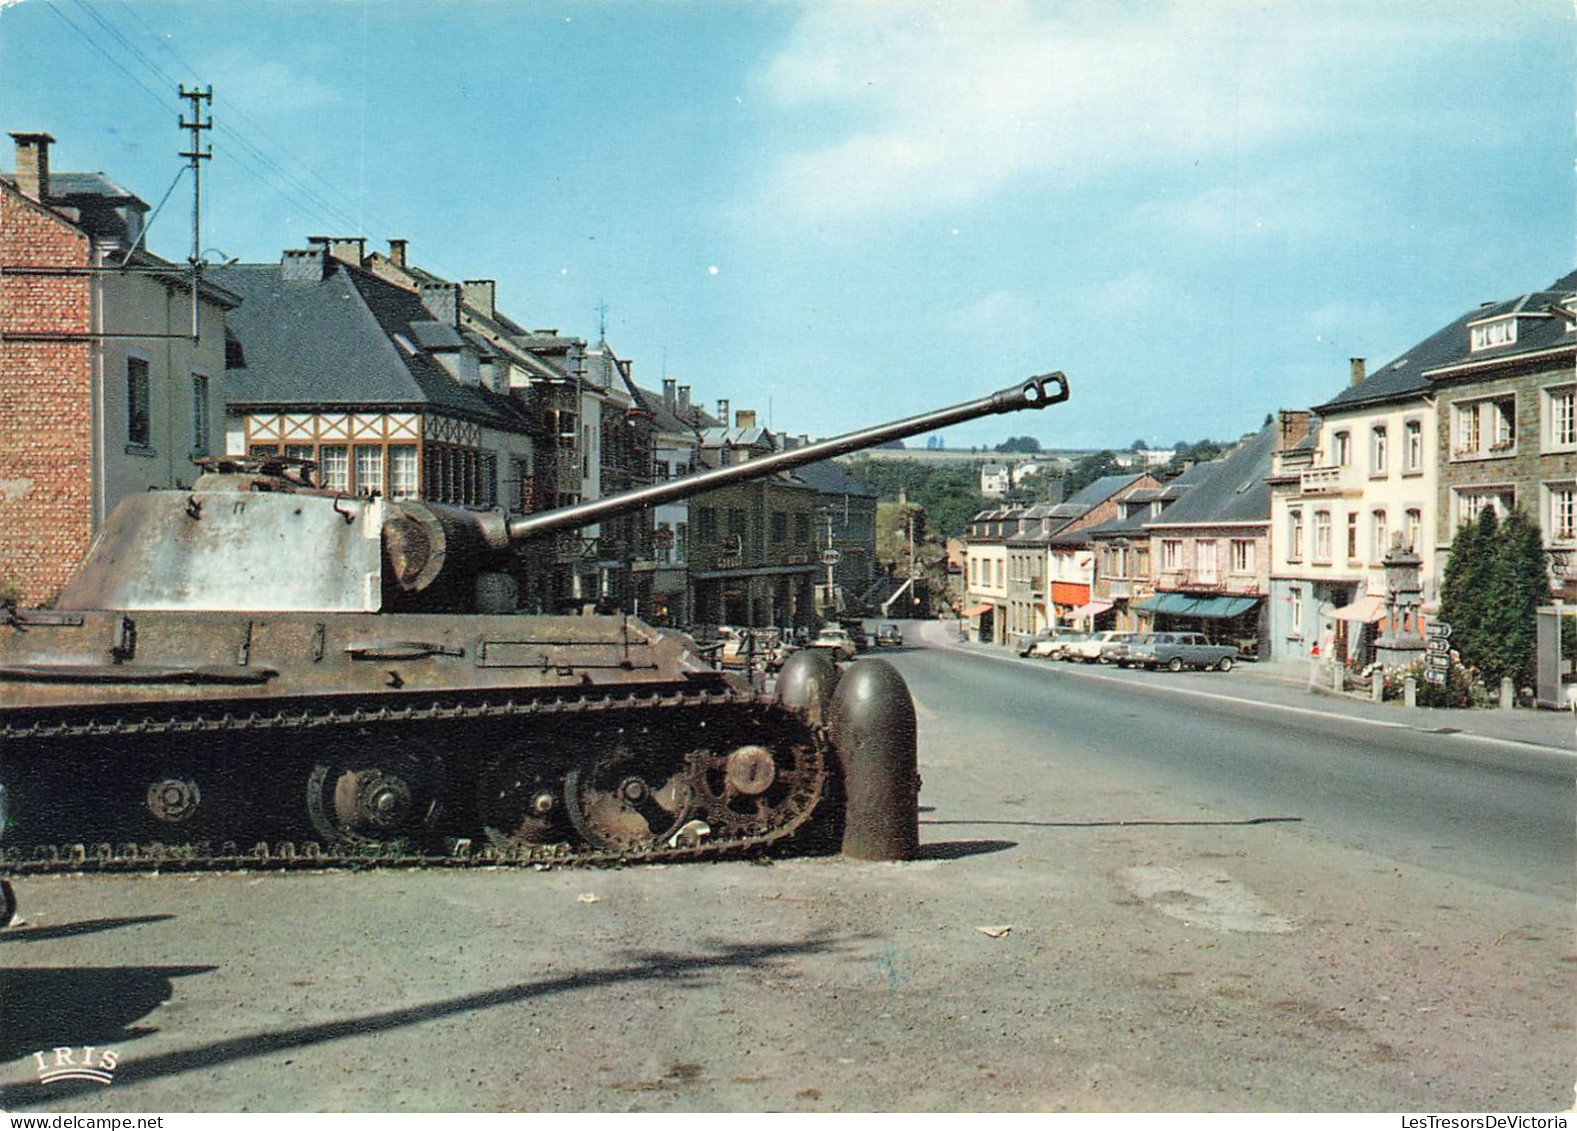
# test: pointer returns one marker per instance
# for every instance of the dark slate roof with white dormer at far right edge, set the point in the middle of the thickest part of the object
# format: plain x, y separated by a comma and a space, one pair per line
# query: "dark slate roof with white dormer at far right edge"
1450, 346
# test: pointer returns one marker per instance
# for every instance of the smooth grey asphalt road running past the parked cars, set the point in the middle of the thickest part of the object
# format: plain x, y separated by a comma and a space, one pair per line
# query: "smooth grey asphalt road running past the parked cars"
1450, 802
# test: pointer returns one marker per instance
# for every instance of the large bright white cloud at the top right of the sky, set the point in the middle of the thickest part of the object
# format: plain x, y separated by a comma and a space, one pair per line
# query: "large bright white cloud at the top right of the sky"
911, 110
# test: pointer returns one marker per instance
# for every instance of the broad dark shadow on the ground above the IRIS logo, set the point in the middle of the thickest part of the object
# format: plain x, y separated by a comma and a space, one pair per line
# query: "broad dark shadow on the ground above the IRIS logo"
47, 1007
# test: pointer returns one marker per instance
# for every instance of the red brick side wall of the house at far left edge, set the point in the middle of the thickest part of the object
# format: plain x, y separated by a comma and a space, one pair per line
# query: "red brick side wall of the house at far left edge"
47, 455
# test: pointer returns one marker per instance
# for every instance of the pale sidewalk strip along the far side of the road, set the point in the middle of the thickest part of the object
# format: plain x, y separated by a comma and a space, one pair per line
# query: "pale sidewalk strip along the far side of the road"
1286, 684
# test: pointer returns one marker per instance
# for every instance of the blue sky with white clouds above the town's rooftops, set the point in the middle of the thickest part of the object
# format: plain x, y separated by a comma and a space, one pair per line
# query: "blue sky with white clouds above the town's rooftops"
844, 214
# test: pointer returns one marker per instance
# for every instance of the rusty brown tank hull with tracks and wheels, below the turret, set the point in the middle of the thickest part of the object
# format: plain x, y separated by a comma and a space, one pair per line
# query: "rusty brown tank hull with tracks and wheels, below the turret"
193, 737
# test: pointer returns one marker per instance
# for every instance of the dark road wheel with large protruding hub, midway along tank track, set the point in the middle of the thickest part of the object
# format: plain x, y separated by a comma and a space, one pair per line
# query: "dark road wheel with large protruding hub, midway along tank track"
373, 799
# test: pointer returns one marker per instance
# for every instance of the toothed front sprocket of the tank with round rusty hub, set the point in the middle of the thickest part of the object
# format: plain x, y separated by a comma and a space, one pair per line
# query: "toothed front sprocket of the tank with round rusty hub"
758, 791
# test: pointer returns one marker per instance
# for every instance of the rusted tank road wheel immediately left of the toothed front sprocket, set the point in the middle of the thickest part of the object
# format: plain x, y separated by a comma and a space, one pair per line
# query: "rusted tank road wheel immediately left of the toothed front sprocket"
628, 797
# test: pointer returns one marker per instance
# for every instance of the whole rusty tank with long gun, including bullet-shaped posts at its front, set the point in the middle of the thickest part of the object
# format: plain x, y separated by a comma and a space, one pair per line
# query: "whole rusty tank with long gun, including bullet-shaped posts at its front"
261, 673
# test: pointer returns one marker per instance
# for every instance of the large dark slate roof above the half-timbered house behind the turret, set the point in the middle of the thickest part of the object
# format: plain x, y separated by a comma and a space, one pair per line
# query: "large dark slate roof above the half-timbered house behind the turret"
332, 343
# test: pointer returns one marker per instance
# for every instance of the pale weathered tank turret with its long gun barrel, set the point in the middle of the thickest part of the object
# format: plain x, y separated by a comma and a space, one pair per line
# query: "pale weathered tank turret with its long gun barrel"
258, 534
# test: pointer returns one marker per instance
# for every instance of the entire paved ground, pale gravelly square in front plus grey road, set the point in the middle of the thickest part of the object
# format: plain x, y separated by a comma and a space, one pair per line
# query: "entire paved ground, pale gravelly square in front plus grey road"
1128, 900
